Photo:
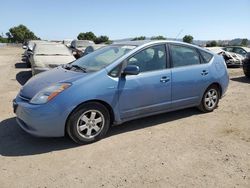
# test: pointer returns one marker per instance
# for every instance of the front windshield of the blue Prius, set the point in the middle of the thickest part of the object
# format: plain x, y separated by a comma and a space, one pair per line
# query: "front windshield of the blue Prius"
103, 57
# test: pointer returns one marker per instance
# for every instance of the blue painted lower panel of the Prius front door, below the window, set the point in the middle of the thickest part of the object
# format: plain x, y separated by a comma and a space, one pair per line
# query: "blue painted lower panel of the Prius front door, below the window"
144, 93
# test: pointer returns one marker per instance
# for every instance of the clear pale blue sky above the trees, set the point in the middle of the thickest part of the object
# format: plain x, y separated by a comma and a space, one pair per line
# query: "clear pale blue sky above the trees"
119, 19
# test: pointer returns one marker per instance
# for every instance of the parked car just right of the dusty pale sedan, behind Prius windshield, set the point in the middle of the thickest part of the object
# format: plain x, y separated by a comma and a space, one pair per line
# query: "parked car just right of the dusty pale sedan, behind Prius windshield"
78, 47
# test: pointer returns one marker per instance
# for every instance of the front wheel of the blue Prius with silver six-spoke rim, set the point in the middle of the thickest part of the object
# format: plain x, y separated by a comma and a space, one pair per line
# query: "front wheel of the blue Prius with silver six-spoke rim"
85, 111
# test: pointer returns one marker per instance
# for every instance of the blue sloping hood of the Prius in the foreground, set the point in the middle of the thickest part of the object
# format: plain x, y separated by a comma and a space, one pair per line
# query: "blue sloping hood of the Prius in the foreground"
45, 79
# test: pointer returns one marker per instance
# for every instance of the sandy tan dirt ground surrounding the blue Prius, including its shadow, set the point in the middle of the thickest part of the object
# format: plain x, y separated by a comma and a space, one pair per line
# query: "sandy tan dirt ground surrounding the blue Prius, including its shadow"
179, 149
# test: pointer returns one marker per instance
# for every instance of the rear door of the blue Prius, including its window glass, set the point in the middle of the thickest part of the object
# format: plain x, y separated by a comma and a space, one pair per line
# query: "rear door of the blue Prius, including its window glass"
189, 76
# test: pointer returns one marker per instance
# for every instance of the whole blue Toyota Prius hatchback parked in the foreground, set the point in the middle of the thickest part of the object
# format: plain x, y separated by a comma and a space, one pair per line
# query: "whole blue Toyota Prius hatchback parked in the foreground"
117, 83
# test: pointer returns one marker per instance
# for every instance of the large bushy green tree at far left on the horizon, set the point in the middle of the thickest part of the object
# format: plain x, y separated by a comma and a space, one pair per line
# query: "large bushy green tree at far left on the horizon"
20, 34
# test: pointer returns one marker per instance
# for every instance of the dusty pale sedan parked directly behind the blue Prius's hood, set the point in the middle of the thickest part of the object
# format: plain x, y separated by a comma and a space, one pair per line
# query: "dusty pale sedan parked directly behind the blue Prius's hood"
49, 55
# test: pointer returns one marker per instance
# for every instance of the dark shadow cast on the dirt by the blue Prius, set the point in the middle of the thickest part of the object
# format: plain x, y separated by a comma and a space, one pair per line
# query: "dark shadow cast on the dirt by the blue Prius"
15, 142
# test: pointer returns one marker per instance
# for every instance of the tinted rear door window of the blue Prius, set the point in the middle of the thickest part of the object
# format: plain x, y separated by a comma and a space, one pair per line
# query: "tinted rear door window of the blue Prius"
184, 56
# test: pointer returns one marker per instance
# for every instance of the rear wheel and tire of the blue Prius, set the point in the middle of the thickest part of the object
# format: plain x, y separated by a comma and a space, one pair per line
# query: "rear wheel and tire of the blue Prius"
208, 104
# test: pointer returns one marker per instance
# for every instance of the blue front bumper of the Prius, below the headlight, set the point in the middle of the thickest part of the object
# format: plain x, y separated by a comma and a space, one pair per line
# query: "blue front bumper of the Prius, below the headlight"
40, 120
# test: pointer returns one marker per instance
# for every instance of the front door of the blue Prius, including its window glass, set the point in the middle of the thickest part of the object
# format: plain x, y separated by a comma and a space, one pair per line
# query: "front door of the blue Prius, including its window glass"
150, 90
